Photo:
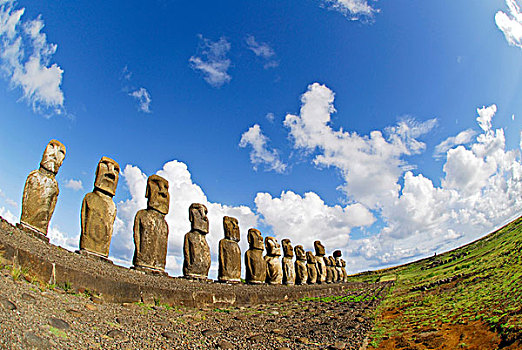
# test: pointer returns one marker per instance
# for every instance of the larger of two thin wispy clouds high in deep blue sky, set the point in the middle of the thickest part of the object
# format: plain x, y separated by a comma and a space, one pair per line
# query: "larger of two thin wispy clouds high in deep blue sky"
212, 61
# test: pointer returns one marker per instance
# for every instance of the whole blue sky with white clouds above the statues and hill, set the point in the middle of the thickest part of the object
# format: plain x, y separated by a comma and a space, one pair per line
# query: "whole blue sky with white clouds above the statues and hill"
350, 121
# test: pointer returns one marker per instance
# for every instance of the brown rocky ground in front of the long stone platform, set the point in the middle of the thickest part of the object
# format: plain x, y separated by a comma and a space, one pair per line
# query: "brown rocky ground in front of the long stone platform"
36, 317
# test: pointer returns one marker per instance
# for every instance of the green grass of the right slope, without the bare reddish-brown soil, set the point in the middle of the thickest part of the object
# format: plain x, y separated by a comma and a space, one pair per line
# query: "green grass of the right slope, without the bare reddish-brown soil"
484, 284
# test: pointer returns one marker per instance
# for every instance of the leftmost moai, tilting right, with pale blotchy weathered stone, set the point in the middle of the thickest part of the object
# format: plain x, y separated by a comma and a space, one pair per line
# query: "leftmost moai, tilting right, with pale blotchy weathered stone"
41, 190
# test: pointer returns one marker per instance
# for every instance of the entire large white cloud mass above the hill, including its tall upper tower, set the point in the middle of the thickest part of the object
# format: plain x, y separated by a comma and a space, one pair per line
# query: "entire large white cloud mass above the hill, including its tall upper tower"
479, 191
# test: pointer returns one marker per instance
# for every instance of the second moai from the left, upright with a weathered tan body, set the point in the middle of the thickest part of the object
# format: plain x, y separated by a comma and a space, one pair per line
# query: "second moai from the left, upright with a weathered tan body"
99, 211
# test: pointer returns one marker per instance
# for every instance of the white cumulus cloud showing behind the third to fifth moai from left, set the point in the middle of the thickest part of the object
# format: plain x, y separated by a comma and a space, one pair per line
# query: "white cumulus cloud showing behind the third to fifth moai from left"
183, 192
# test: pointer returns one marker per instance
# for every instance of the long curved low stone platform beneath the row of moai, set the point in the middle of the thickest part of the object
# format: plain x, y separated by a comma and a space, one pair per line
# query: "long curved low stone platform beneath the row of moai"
119, 284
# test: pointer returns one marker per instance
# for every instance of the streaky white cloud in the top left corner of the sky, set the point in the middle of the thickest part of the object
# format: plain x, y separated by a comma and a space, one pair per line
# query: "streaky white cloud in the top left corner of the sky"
25, 60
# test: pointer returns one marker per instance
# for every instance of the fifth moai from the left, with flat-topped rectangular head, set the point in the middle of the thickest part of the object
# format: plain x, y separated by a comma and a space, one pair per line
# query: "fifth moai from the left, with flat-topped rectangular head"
229, 252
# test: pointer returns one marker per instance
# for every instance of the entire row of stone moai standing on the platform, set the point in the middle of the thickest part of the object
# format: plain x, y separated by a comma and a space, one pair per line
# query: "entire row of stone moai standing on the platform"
151, 231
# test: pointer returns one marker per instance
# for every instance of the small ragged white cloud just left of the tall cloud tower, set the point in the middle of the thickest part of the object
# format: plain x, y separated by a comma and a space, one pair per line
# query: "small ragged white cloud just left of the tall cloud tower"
260, 154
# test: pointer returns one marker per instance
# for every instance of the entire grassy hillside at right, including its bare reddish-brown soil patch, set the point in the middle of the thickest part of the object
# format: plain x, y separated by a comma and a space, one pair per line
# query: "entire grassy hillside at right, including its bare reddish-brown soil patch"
467, 298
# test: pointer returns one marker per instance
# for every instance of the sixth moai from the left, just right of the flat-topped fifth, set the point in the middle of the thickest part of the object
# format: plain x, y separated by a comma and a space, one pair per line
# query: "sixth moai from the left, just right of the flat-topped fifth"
254, 262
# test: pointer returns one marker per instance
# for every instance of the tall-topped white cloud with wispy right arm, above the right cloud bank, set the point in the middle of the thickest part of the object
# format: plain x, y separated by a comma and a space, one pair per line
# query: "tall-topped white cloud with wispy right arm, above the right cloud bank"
370, 165
